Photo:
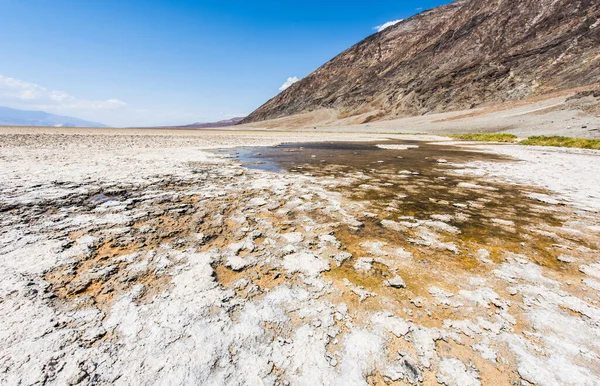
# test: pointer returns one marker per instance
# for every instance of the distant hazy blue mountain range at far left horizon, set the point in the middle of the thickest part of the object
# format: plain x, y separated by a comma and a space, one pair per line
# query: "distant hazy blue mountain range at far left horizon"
14, 117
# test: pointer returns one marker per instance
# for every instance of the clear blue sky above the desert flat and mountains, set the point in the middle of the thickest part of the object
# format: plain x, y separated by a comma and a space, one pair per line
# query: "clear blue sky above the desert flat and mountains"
160, 62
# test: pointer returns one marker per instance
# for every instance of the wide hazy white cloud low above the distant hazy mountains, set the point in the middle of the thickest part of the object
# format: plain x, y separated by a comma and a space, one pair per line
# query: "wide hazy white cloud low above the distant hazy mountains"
19, 94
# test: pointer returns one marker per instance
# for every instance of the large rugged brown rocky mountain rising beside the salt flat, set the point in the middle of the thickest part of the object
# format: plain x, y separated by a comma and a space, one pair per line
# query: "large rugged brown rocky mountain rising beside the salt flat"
462, 55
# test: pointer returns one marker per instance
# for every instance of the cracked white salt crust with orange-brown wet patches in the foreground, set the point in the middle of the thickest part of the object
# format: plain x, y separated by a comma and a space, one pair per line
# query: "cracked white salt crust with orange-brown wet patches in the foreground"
216, 274
